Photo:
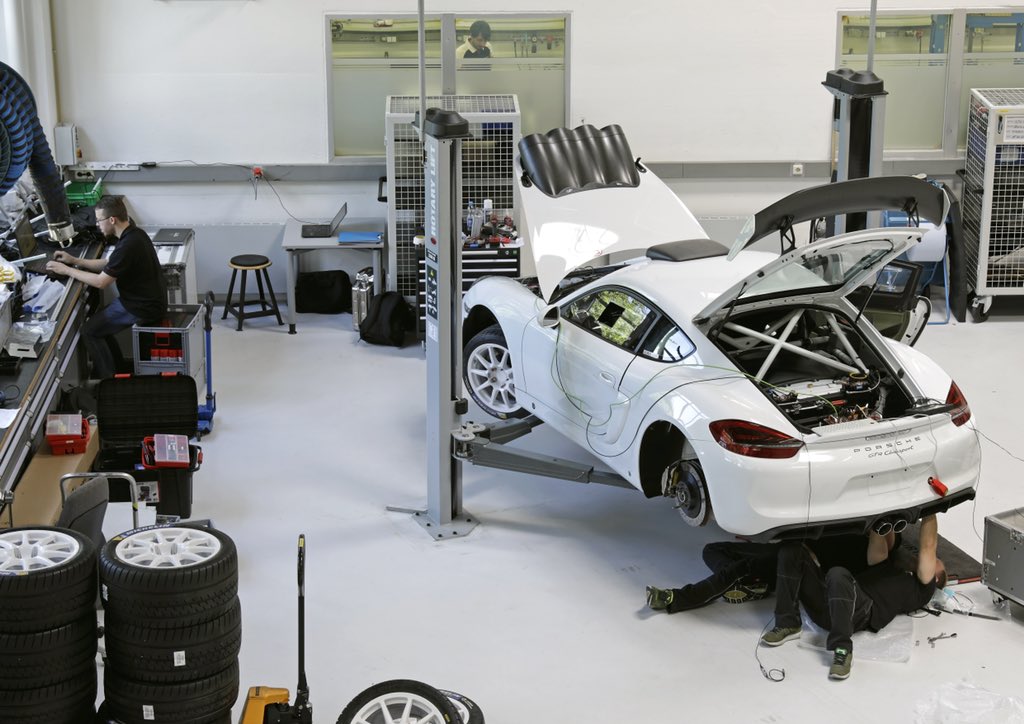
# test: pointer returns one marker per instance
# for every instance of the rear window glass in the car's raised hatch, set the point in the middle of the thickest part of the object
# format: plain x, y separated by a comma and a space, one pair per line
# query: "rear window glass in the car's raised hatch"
822, 271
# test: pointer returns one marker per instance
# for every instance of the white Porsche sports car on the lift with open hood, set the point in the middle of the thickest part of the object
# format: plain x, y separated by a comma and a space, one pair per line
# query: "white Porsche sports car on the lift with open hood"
750, 385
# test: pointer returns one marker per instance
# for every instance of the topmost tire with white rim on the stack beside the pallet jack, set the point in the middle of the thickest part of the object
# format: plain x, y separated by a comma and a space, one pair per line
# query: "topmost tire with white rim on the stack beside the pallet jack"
138, 587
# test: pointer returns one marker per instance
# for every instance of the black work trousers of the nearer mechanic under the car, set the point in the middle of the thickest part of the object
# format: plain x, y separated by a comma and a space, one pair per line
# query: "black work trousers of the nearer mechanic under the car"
833, 600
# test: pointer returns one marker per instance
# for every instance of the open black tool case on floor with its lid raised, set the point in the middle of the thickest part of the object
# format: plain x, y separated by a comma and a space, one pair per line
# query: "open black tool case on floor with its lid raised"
132, 409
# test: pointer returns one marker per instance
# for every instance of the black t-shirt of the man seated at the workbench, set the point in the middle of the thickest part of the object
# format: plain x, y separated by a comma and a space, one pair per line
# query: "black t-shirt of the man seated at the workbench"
135, 266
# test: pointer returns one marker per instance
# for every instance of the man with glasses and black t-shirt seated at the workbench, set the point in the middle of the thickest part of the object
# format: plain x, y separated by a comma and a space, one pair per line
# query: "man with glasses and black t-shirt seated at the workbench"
136, 269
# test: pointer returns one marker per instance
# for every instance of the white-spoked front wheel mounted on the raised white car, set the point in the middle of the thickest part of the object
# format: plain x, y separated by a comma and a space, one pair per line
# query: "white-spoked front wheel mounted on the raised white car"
487, 372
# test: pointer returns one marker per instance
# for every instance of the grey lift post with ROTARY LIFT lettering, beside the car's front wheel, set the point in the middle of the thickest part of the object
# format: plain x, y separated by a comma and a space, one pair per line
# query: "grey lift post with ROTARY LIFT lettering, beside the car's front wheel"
443, 134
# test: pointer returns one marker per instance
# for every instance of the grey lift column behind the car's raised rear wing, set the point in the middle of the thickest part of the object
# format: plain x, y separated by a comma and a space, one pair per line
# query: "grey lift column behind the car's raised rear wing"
859, 118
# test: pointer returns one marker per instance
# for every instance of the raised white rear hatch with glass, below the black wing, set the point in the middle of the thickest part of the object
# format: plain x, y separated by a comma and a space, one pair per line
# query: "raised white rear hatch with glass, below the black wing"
830, 269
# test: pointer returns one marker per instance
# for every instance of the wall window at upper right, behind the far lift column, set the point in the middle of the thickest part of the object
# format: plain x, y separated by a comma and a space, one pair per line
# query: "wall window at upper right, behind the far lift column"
929, 63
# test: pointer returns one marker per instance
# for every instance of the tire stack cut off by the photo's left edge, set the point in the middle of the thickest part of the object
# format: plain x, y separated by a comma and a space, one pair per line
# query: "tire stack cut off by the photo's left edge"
48, 627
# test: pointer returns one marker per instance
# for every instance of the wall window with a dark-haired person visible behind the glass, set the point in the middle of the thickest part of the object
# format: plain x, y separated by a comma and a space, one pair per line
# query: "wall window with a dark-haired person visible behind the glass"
372, 58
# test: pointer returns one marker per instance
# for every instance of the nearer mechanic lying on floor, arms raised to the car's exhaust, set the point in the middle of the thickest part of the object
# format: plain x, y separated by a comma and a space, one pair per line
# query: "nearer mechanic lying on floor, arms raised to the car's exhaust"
842, 603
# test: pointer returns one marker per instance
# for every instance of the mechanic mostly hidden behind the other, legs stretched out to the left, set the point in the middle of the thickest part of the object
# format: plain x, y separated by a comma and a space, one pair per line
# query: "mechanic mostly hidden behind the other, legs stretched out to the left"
747, 572
